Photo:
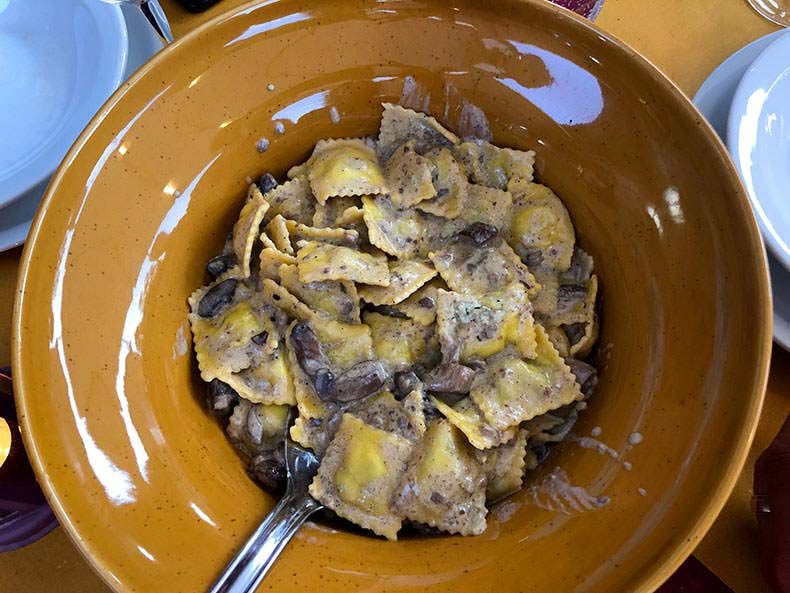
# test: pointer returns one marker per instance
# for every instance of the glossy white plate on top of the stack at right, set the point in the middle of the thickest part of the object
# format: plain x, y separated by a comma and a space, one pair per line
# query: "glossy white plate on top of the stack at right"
758, 136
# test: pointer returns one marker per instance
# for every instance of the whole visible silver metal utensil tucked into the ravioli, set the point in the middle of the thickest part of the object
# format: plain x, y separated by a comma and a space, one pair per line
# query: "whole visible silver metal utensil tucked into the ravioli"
247, 569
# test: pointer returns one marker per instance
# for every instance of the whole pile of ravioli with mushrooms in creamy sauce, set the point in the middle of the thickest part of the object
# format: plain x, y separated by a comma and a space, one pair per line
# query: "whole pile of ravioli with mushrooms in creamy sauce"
418, 318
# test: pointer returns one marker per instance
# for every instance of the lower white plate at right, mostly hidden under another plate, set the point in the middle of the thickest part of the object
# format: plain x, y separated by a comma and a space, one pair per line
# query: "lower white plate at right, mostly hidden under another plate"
713, 99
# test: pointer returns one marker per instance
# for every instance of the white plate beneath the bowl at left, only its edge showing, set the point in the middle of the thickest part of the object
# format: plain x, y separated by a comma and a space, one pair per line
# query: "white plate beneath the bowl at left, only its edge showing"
16, 218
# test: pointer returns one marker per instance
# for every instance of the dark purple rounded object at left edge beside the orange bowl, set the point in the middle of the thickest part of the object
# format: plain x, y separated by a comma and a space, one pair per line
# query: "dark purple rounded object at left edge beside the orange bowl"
24, 513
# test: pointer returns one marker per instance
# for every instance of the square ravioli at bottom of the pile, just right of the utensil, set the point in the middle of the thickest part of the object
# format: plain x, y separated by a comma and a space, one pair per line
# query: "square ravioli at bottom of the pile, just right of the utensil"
359, 475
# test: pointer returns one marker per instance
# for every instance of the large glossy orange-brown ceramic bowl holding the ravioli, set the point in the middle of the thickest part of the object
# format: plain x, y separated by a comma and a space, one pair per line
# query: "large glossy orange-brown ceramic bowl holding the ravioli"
144, 479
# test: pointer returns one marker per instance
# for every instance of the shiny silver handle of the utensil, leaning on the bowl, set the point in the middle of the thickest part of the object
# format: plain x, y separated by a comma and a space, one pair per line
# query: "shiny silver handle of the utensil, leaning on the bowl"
247, 569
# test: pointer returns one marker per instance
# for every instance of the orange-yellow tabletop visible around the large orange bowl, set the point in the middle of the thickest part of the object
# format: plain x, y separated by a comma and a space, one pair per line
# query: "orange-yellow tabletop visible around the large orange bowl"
687, 39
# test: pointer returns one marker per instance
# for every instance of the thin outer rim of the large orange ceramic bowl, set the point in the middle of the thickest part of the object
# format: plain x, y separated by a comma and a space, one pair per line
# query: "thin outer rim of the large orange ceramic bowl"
686, 539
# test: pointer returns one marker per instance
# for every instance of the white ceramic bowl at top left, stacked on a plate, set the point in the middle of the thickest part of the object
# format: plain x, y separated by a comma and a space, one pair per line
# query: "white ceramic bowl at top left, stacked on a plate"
59, 61
